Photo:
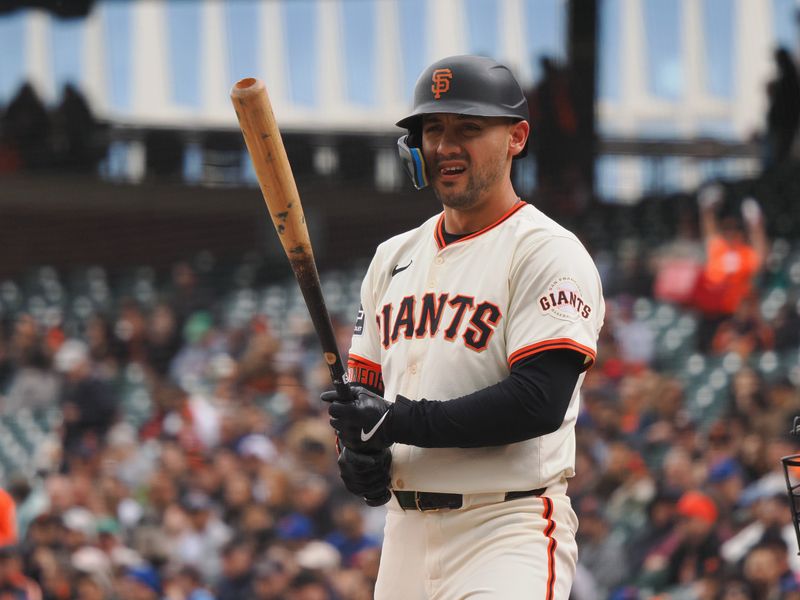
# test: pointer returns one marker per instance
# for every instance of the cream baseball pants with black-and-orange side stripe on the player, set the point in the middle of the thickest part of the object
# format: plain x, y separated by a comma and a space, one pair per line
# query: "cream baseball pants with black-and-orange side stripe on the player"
515, 550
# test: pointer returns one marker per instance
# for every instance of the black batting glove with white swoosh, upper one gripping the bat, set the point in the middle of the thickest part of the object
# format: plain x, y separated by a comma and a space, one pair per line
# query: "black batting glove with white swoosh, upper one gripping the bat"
363, 422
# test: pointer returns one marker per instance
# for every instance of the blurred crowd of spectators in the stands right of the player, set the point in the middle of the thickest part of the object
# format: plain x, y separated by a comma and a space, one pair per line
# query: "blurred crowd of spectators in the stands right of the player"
692, 504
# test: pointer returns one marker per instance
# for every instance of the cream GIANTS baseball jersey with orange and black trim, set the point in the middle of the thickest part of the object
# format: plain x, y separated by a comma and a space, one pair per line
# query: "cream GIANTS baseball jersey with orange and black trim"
439, 321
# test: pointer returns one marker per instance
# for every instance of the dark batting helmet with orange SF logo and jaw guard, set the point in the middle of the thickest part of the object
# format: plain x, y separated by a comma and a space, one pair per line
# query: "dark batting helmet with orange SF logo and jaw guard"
464, 85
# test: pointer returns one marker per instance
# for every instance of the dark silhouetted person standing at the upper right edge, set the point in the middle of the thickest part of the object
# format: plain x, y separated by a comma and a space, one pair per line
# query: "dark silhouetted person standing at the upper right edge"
783, 114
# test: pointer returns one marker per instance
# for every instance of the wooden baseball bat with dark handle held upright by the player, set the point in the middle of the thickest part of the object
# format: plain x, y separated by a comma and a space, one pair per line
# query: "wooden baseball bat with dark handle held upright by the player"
264, 143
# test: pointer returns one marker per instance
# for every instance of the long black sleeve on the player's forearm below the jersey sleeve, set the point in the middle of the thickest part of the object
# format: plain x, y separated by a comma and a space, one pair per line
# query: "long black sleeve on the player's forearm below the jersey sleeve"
530, 402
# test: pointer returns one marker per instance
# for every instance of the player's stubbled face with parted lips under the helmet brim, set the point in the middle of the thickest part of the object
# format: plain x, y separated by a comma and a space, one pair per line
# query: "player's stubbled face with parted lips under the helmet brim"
467, 157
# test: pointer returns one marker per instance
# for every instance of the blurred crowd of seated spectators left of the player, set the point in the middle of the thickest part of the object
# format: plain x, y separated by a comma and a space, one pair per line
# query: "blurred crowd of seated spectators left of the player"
225, 488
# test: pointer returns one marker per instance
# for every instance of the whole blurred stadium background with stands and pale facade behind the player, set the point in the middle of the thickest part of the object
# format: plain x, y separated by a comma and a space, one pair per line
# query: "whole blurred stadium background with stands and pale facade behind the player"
183, 446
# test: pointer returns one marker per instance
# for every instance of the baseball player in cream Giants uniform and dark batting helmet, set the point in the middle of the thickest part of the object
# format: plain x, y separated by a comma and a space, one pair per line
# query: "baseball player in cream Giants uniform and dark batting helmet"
474, 337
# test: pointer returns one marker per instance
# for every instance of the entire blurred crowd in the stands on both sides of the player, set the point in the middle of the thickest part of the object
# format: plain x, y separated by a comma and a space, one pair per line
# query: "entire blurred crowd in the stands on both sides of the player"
225, 484
